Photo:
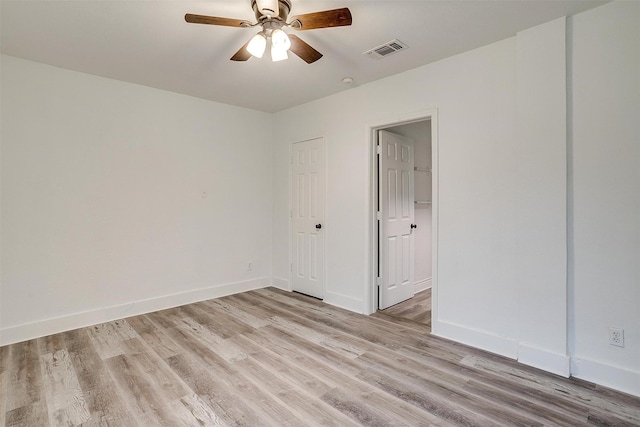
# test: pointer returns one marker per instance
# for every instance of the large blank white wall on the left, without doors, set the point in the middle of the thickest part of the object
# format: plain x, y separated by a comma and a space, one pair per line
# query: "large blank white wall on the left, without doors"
102, 207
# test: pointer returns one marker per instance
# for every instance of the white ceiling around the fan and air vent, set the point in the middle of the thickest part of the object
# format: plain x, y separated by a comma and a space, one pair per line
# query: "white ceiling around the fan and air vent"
149, 43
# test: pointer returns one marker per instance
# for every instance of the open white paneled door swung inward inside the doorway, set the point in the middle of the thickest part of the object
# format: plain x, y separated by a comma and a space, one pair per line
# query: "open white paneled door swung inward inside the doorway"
396, 219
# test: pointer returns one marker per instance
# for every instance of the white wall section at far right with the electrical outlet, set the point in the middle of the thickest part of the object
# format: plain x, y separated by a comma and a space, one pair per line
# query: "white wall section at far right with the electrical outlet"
605, 146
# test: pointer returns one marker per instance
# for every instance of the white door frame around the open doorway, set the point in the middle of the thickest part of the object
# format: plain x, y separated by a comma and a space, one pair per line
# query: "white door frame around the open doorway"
372, 235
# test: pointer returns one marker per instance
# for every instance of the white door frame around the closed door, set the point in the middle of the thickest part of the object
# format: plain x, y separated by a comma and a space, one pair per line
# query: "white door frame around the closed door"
324, 211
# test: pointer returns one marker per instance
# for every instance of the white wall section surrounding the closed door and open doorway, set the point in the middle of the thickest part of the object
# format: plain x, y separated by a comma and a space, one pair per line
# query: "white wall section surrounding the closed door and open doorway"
475, 97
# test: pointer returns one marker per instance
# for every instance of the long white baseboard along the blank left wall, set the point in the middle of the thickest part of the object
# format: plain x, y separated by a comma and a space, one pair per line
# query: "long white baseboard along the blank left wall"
55, 325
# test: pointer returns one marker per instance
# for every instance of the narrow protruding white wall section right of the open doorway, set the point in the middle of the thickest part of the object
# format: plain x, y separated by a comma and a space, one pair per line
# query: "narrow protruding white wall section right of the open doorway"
542, 196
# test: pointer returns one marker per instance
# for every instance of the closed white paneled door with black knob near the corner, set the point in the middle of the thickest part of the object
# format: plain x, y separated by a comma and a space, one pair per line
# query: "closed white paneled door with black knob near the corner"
307, 217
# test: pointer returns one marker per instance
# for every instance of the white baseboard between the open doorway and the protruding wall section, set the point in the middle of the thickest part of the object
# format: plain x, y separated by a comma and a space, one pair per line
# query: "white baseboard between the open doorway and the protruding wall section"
483, 340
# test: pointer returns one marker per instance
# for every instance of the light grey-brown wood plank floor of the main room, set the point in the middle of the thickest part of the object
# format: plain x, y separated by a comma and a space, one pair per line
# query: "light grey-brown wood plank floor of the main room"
272, 358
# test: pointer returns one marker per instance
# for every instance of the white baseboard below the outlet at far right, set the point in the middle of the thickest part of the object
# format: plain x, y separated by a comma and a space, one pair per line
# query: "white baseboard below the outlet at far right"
607, 375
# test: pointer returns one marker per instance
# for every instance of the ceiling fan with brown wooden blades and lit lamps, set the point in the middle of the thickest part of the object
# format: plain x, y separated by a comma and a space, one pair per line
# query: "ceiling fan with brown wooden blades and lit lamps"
272, 16
